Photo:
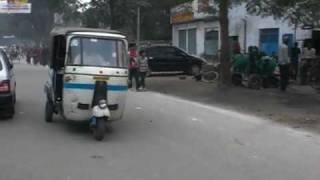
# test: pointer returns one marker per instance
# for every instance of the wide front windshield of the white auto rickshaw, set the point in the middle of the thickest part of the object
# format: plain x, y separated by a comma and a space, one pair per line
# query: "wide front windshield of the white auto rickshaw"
96, 52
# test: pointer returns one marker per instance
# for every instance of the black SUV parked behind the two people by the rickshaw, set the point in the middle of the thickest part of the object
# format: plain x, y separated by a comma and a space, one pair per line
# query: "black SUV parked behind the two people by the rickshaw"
169, 58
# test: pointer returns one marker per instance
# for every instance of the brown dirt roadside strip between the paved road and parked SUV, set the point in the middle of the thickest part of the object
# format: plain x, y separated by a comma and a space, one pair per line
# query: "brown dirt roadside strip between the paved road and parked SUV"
299, 107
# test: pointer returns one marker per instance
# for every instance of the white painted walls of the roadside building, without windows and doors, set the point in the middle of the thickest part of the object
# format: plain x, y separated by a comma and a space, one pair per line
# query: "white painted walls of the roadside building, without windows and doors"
237, 18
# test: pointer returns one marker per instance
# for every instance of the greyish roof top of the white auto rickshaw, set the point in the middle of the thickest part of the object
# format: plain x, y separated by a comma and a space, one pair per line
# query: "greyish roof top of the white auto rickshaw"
66, 30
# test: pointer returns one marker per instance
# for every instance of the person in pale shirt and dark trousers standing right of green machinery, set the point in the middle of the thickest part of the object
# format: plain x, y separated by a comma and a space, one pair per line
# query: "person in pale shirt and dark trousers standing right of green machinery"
284, 64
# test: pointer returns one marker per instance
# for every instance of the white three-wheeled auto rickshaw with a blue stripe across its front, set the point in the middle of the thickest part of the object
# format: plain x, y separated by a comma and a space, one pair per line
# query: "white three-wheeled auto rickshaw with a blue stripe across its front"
88, 77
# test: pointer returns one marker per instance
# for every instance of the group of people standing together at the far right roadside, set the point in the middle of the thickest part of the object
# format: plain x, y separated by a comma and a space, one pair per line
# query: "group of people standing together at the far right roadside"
294, 62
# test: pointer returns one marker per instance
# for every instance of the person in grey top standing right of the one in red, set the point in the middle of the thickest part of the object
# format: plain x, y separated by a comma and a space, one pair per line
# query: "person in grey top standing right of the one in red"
143, 68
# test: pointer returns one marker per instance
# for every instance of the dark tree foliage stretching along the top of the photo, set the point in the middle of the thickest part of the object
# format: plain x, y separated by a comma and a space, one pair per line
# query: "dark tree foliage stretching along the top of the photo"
155, 15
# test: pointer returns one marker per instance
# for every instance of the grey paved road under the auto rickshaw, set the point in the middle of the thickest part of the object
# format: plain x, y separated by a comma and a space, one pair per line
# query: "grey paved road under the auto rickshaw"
160, 138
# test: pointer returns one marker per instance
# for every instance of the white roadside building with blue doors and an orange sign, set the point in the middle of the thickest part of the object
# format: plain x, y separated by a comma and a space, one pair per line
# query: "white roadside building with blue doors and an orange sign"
197, 32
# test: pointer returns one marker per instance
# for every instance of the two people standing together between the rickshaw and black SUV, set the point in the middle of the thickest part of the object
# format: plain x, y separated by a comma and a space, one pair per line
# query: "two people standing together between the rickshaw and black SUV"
138, 69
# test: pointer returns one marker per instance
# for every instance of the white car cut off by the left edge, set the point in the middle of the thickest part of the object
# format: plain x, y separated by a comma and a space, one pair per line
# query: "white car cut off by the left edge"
7, 86
